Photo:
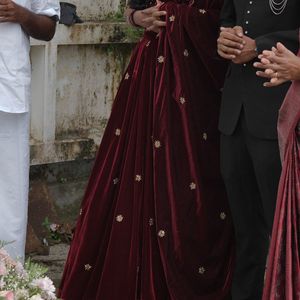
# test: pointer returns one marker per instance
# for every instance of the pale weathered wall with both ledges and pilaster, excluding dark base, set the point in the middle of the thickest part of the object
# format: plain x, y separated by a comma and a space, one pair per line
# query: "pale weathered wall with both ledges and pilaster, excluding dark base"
75, 79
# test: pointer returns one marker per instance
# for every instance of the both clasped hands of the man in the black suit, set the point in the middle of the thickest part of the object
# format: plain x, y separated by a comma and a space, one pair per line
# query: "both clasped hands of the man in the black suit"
234, 45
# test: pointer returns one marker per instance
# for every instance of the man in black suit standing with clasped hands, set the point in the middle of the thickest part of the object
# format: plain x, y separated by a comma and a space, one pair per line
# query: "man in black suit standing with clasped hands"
249, 149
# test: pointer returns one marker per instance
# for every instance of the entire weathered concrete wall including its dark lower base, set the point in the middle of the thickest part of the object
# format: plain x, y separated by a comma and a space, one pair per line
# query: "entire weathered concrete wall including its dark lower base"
75, 79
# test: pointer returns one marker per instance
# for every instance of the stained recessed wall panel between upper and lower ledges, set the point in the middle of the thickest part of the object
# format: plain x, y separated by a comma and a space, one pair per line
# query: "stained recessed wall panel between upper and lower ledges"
88, 78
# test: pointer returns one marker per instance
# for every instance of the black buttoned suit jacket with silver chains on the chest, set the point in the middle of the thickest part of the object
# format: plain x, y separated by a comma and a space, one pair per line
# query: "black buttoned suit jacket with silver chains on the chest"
243, 89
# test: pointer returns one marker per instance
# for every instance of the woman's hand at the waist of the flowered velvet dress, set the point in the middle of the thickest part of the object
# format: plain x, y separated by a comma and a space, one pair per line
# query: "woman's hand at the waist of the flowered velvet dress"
152, 18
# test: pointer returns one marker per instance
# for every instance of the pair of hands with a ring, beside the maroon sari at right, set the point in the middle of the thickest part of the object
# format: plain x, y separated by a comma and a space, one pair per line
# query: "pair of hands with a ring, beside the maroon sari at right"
279, 65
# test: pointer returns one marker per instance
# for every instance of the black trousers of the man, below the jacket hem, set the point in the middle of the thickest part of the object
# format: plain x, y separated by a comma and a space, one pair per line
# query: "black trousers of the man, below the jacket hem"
251, 170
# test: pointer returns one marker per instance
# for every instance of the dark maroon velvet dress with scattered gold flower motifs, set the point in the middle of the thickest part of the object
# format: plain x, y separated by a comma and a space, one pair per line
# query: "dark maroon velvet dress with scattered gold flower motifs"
154, 223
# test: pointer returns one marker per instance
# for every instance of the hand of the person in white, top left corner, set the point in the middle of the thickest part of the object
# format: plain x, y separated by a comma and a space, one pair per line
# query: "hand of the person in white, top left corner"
12, 12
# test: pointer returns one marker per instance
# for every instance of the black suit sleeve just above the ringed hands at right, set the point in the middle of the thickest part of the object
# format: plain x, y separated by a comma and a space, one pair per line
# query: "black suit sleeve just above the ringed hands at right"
289, 38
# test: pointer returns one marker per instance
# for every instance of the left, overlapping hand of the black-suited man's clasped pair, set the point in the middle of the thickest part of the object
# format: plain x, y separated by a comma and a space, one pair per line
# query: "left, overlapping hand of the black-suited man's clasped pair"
231, 42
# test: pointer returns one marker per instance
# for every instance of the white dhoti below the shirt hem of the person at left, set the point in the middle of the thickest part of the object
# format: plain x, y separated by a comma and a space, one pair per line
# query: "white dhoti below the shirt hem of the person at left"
14, 181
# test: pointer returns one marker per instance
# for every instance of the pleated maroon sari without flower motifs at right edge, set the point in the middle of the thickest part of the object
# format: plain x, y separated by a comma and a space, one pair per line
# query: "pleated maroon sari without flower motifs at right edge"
283, 269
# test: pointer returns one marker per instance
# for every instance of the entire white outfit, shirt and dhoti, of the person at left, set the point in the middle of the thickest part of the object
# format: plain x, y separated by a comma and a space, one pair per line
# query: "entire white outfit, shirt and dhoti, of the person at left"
15, 77
